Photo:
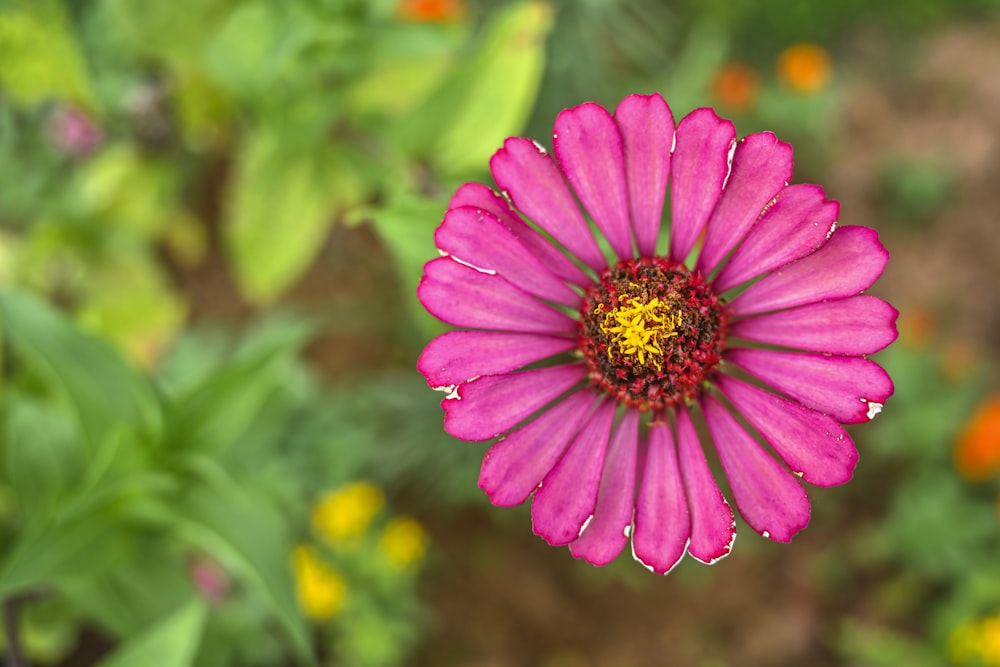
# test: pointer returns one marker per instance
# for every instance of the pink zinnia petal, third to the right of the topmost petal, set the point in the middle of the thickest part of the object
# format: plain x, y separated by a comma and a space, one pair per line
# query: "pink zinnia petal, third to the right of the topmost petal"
796, 224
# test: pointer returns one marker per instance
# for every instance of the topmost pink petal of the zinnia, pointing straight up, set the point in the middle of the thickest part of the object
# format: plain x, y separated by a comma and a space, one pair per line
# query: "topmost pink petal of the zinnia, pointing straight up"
647, 129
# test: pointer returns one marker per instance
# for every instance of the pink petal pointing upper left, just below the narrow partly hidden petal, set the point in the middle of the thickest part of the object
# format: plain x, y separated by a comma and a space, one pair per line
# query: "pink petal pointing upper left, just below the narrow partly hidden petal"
472, 236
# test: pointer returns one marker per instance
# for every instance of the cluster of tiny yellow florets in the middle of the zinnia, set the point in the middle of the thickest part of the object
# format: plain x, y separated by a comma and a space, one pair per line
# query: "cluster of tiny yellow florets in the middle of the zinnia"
639, 329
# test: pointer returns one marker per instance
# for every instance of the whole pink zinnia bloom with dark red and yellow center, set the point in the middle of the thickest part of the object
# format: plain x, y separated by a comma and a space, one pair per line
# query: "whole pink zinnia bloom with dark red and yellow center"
592, 358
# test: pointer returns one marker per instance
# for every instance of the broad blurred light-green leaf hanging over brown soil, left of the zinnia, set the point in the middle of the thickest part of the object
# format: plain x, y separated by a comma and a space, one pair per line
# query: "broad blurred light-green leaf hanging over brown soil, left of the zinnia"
281, 203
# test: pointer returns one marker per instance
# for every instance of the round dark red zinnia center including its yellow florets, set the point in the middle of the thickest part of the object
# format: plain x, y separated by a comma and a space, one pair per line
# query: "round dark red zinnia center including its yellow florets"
651, 331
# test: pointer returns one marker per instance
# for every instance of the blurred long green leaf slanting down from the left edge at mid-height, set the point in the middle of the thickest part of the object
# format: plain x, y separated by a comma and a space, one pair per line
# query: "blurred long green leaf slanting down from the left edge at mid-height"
107, 395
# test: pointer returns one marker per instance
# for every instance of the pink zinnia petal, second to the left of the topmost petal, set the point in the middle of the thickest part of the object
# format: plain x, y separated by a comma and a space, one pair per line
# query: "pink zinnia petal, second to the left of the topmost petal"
536, 187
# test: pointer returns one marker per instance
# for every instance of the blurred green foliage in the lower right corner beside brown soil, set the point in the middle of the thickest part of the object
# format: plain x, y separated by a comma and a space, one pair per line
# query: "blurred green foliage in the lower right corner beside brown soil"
939, 533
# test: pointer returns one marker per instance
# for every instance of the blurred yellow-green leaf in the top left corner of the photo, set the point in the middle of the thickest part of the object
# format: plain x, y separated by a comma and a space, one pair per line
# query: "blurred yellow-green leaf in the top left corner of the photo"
39, 58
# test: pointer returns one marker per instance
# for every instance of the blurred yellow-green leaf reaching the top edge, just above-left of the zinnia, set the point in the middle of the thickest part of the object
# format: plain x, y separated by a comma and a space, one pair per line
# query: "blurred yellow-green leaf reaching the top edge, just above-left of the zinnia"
487, 98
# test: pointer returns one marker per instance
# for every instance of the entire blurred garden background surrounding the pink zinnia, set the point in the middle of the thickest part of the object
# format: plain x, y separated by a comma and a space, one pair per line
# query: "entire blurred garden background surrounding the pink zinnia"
214, 447
